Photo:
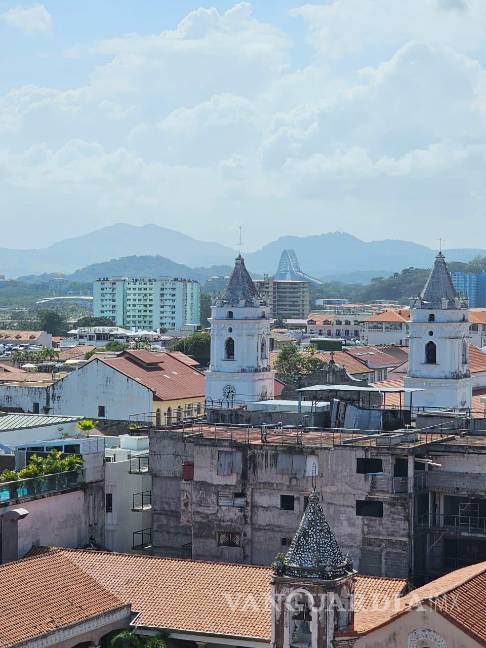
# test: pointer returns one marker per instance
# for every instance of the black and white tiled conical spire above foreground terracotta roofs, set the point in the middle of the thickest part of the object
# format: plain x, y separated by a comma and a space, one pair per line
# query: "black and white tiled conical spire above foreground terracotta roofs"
315, 552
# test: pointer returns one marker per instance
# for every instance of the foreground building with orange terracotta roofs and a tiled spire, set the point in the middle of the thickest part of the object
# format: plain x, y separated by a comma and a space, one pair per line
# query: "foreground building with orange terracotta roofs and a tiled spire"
312, 597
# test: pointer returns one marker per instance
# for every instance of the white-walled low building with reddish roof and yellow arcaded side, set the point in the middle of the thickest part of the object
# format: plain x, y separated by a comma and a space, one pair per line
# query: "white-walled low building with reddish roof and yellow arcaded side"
130, 386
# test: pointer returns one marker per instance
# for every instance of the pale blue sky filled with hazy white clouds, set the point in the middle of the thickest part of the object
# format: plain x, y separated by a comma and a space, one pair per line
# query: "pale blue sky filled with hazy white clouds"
365, 116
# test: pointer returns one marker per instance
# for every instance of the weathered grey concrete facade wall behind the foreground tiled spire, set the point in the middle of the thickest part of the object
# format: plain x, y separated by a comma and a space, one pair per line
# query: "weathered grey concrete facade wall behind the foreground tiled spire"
185, 511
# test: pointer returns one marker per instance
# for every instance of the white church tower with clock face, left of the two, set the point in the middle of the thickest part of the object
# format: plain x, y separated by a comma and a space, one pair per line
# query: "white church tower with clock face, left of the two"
239, 371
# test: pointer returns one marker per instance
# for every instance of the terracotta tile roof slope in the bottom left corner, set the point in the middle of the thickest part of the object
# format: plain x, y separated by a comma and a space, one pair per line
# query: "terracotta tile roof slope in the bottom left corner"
47, 592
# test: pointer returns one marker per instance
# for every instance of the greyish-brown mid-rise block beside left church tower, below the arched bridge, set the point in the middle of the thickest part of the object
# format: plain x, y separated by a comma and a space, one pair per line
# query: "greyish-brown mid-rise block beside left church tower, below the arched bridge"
285, 298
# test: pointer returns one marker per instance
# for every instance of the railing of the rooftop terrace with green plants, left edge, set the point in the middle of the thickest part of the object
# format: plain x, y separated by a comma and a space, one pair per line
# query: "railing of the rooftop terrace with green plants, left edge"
44, 484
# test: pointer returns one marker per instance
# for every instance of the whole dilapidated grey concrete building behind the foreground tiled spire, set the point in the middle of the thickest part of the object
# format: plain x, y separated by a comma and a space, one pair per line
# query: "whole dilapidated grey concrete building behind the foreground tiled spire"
405, 503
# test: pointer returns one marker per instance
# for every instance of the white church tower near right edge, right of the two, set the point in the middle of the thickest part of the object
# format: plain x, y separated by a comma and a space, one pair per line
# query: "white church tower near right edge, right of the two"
439, 344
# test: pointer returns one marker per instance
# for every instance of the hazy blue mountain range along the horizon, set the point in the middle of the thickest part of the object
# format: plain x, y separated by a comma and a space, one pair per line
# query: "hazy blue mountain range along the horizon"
126, 249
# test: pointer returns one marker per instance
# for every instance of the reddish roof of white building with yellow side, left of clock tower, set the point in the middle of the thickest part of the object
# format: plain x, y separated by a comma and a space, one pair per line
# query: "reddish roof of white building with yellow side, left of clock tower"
164, 374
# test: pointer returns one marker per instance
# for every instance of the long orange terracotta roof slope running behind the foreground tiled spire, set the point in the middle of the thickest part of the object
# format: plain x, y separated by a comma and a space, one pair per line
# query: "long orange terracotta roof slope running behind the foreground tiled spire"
197, 596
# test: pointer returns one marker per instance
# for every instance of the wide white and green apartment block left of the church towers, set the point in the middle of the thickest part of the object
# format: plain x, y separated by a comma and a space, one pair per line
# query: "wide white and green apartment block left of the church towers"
148, 304
